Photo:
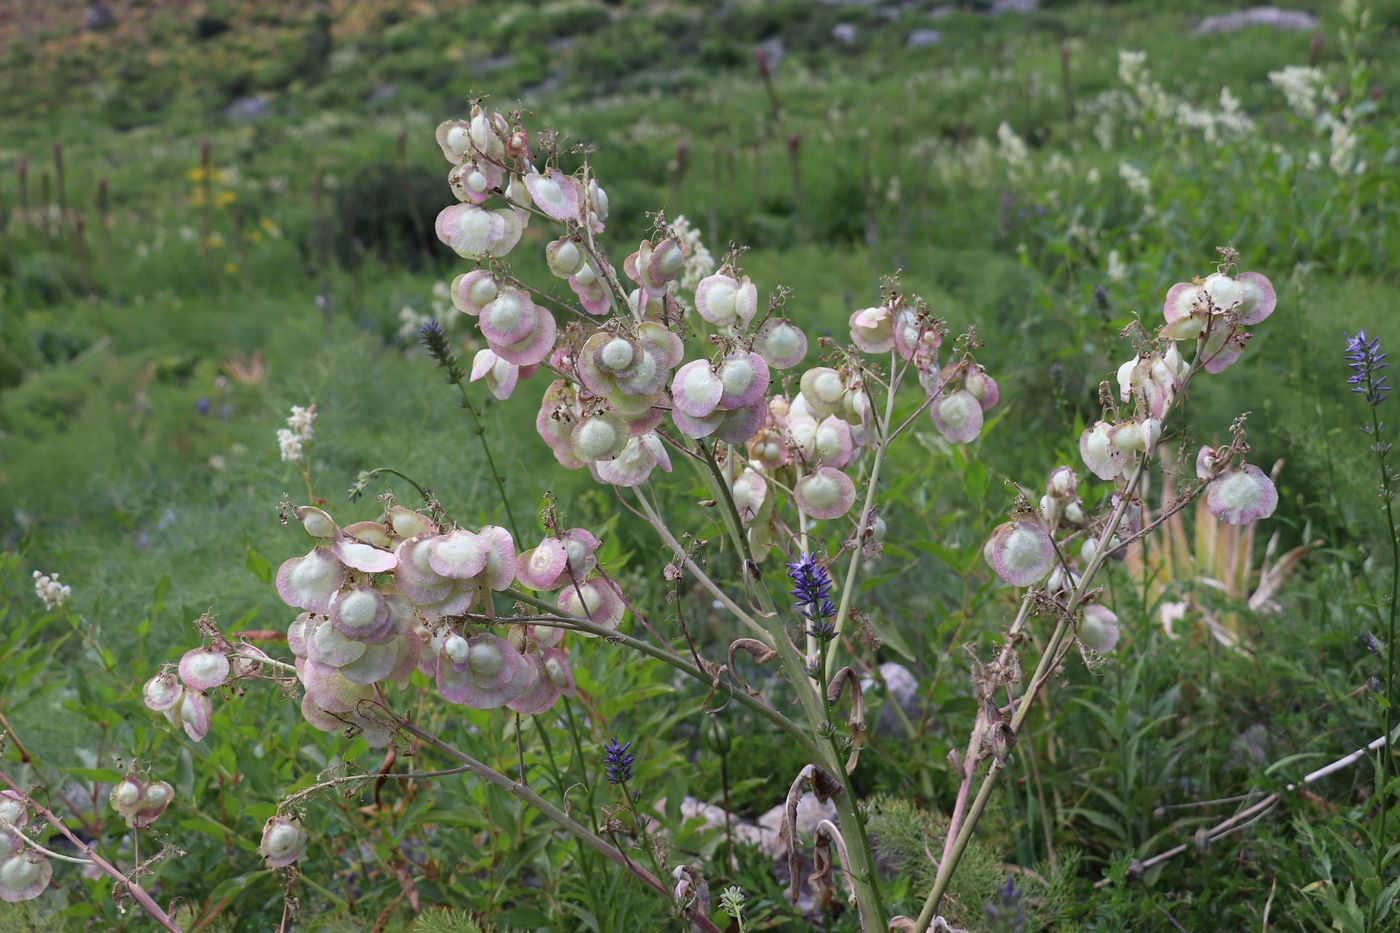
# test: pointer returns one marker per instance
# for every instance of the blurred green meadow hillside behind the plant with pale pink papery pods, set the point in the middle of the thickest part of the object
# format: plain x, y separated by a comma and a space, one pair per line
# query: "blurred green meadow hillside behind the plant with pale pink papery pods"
215, 211
